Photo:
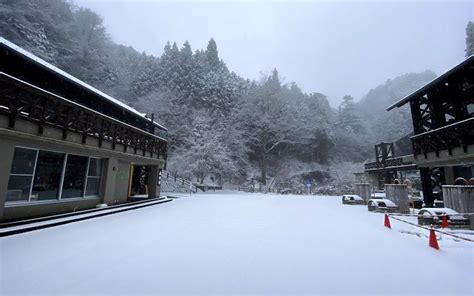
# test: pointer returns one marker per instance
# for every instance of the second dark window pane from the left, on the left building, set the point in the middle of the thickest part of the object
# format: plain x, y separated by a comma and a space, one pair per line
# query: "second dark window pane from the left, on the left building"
47, 176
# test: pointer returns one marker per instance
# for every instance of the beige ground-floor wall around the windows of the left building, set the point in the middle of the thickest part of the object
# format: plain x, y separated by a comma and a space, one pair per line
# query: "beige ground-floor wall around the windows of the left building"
114, 178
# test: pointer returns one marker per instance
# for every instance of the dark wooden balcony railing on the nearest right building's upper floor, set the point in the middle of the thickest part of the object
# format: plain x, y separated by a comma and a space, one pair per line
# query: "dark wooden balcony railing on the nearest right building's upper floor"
459, 134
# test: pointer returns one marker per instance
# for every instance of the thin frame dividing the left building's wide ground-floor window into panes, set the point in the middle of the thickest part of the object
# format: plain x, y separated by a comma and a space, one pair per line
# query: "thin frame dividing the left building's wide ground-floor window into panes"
61, 183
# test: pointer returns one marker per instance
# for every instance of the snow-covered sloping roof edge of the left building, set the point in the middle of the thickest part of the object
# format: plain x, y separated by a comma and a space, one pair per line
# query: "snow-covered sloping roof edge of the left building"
73, 79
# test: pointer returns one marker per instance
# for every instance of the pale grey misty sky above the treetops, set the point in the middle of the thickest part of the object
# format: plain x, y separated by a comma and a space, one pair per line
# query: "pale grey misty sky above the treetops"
335, 48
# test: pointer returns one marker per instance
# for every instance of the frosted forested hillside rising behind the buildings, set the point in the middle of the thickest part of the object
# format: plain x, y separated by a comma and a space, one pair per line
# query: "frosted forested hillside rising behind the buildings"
222, 127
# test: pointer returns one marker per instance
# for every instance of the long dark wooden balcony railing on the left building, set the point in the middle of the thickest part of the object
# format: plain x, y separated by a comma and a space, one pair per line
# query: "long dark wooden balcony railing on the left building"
21, 100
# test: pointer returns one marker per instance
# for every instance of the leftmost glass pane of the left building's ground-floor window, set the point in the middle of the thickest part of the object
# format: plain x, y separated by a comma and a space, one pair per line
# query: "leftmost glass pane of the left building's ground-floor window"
21, 174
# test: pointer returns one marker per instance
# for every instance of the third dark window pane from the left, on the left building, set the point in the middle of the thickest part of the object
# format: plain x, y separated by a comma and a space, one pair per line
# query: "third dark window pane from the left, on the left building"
75, 176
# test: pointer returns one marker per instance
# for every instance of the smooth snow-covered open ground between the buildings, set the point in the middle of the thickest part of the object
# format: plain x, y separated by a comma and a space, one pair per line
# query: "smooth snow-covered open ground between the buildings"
236, 244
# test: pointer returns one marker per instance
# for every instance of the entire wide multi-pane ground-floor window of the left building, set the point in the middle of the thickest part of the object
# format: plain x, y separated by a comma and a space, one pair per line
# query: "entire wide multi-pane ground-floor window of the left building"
38, 175
